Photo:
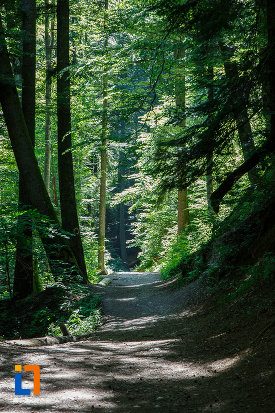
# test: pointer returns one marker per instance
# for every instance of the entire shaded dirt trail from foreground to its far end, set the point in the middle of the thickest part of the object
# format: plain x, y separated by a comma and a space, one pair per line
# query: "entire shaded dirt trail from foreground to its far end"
157, 352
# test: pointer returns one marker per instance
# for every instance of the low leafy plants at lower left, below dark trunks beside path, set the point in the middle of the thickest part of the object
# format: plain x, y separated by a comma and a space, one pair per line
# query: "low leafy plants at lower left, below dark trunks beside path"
40, 314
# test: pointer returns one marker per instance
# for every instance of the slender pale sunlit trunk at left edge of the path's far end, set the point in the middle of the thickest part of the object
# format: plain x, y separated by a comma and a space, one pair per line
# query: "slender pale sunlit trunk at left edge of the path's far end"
104, 156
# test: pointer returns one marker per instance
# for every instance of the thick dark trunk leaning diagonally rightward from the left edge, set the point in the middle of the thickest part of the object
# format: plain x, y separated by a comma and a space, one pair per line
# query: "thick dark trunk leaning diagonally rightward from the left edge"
59, 253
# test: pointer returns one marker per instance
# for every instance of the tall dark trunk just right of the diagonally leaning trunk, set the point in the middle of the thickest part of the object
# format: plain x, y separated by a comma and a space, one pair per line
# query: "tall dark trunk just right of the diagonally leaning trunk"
65, 160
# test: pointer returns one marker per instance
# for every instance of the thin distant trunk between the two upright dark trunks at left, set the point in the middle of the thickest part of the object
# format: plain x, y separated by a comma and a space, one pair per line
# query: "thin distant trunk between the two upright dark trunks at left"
49, 41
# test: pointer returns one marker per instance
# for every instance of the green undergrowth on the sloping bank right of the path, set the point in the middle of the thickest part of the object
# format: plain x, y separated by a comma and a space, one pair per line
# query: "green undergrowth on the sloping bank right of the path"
221, 255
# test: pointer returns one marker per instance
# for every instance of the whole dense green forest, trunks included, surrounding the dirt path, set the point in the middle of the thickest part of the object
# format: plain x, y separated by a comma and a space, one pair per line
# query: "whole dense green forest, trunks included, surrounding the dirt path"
136, 135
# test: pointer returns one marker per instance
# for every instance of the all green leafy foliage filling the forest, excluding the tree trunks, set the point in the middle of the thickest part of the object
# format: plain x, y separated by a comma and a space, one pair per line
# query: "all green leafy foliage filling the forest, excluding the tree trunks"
147, 146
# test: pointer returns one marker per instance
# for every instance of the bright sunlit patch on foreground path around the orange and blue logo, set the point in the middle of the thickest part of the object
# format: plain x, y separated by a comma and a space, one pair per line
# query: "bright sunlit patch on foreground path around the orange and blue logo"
79, 374
